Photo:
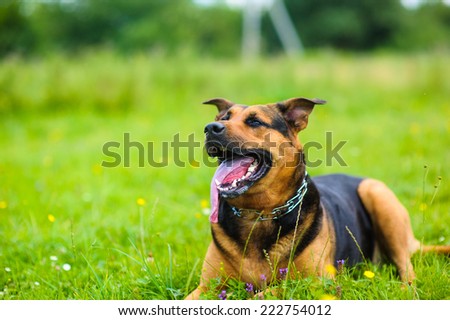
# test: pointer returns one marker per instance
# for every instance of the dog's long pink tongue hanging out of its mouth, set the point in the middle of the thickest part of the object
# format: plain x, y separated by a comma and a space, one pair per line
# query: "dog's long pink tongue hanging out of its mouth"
228, 171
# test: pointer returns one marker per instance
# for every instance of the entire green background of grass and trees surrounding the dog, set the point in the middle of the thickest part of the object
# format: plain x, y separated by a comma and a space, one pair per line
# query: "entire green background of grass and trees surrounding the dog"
76, 74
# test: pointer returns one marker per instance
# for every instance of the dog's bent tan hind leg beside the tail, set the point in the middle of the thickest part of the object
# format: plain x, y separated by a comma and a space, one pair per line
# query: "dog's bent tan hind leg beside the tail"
392, 226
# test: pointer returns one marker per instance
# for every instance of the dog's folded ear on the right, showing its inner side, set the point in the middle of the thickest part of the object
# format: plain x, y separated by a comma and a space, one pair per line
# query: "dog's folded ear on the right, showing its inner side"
297, 110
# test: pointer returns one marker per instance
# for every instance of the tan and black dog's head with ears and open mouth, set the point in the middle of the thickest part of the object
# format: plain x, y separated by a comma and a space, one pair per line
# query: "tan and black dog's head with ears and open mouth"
257, 146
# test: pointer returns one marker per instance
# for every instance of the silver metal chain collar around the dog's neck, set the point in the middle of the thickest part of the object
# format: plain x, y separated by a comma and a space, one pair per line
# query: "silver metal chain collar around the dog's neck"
277, 212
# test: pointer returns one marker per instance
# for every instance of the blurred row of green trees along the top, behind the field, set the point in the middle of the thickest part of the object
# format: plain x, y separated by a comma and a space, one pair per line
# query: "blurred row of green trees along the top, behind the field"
28, 27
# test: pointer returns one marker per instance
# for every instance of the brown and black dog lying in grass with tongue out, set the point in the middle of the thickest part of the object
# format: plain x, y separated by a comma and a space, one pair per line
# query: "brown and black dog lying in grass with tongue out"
269, 214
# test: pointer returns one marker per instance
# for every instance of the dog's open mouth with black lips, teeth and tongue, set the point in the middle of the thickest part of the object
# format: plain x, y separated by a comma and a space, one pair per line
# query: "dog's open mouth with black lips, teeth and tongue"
239, 170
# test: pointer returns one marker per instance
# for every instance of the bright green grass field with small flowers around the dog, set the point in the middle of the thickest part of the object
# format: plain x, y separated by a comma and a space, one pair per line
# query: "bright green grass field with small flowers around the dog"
71, 228
